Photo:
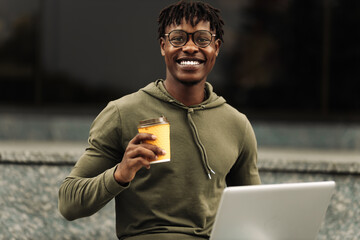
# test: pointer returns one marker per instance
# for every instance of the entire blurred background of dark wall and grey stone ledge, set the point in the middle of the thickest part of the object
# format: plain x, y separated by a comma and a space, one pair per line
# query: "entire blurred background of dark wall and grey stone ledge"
292, 66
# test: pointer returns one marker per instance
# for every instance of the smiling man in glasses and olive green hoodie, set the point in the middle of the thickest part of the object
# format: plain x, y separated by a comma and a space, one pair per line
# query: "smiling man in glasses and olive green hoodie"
212, 144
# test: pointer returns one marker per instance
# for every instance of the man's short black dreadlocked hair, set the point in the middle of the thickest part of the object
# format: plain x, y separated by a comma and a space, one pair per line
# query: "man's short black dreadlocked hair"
193, 13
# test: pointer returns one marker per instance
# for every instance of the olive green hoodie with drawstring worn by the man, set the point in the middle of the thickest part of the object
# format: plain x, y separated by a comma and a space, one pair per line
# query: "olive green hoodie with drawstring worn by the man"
212, 145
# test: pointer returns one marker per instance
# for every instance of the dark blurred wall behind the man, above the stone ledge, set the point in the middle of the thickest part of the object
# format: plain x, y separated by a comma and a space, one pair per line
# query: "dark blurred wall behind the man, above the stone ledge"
281, 59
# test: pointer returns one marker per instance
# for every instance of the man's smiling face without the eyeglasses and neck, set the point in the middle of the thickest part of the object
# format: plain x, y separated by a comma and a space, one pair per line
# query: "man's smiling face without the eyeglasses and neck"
189, 64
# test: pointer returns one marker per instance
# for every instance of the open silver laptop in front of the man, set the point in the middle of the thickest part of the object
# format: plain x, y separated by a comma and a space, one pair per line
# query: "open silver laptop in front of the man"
272, 211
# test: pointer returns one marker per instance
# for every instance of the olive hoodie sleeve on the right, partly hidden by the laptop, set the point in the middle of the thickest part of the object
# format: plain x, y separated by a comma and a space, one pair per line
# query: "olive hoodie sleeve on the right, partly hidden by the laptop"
245, 171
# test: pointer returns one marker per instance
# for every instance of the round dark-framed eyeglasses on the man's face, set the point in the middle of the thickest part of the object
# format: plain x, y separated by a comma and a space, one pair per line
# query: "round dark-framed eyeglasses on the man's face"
201, 38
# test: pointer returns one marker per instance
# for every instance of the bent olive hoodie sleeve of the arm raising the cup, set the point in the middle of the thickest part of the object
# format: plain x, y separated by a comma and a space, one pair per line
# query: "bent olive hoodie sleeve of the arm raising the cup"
91, 184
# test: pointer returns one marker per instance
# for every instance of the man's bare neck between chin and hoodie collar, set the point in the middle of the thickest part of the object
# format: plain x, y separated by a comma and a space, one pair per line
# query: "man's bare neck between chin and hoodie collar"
187, 94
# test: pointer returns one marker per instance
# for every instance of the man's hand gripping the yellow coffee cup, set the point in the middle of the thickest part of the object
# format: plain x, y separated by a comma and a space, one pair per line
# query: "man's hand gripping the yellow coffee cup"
137, 154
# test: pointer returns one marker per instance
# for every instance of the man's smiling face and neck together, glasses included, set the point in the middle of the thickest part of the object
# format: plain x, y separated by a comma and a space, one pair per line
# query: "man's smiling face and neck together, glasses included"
190, 50
